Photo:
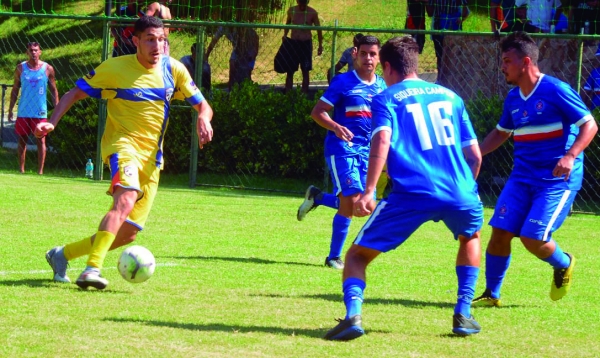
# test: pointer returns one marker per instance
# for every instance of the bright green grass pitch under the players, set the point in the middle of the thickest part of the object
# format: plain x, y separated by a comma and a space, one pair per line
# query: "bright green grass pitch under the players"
237, 275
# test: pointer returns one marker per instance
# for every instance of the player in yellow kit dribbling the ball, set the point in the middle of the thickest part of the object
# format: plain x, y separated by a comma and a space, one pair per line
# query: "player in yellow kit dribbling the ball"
138, 89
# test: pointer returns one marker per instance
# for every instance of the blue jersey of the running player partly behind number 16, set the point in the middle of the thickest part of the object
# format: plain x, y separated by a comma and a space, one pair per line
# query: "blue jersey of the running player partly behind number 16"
351, 98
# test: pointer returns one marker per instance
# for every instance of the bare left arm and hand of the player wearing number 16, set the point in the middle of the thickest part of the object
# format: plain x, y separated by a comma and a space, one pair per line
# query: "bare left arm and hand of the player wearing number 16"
380, 146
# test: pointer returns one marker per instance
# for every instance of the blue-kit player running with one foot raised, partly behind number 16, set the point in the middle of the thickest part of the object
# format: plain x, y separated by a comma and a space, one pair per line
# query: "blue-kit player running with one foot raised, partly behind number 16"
346, 142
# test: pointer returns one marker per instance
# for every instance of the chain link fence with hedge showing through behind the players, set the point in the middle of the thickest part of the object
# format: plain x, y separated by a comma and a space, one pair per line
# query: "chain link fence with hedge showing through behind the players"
265, 138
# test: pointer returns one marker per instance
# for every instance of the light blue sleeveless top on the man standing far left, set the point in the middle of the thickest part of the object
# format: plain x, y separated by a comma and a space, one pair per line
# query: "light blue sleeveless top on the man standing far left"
33, 92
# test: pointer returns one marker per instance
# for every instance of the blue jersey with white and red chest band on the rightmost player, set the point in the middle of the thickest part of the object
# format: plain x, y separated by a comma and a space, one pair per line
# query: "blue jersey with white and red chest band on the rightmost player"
544, 126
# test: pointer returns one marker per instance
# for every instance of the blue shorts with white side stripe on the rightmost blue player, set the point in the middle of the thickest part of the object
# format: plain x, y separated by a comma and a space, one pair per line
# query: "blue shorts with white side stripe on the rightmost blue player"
532, 211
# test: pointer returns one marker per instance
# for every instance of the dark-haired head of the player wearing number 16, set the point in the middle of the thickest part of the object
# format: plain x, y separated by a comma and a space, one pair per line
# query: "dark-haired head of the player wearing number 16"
402, 53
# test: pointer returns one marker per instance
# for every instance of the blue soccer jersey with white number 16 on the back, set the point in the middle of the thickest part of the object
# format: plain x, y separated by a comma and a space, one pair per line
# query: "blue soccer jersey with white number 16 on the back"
429, 126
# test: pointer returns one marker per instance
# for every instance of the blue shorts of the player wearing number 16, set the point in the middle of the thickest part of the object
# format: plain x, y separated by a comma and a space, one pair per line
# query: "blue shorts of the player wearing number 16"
392, 223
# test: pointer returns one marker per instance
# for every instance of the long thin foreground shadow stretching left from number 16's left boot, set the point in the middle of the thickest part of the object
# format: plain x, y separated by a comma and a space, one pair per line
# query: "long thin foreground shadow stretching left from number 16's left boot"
217, 327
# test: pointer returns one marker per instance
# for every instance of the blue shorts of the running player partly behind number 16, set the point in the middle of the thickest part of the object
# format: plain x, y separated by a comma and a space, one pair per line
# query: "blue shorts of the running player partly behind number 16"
348, 173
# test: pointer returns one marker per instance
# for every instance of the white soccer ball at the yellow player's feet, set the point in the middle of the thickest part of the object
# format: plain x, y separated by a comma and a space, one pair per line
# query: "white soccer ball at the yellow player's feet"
136, 264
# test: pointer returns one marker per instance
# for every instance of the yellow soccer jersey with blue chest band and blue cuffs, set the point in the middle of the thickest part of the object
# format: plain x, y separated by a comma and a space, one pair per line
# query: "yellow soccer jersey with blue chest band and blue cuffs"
138, 103
